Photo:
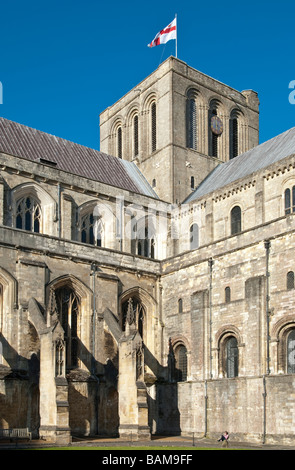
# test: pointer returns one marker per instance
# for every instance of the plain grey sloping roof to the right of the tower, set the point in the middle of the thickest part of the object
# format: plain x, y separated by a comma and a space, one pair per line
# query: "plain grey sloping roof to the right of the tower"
254, 160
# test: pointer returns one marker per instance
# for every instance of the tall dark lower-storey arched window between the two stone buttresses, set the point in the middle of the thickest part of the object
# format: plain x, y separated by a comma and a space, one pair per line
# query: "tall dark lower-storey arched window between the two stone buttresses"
68, 305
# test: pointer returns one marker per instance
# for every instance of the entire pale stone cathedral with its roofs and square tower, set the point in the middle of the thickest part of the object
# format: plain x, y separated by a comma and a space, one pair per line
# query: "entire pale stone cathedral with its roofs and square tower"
148, 288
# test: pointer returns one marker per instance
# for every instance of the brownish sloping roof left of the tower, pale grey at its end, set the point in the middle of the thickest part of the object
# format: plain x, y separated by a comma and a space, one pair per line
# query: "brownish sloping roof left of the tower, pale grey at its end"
31, 144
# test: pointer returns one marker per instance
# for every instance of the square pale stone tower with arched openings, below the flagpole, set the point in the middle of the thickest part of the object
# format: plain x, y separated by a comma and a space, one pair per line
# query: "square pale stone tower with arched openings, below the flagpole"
177, 125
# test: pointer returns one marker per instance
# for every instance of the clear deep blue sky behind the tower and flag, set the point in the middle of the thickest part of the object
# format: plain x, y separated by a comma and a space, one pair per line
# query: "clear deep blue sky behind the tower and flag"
63, 62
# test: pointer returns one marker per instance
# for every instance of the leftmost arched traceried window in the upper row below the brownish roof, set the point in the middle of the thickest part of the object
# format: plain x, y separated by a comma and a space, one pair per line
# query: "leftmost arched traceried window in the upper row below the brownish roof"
28, 215
